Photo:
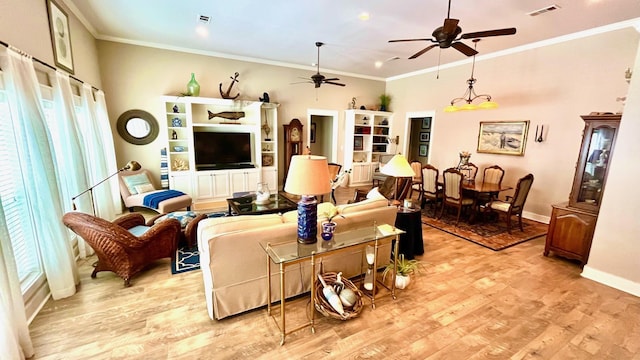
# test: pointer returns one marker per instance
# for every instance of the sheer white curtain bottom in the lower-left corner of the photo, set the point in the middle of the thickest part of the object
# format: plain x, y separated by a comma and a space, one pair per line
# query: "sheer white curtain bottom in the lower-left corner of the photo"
15, 342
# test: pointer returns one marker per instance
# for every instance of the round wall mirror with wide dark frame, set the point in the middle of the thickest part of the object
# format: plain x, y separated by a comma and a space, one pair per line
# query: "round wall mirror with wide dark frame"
137, 127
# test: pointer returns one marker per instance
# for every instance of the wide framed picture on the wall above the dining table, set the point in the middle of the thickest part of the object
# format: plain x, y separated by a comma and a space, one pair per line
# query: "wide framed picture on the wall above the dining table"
503, 137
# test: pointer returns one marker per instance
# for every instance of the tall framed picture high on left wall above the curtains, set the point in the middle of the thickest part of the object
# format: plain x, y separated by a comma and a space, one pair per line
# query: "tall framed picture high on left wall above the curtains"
60, 36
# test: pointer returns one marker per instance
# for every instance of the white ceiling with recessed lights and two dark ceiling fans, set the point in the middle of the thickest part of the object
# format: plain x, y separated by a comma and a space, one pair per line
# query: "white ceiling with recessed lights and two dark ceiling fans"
285, 31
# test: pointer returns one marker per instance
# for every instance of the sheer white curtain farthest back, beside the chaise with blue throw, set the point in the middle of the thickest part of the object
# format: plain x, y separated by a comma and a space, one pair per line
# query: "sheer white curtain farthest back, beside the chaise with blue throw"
100, 151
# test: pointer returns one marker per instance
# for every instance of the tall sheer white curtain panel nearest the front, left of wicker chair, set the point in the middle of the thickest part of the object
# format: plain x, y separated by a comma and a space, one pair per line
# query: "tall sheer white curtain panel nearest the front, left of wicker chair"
35, 150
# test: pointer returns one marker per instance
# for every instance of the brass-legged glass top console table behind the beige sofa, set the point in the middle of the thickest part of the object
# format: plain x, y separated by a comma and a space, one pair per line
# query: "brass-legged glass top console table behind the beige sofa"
284, 253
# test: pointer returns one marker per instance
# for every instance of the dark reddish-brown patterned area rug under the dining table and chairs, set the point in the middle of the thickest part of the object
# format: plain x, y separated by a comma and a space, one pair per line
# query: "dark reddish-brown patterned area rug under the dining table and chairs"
490, 233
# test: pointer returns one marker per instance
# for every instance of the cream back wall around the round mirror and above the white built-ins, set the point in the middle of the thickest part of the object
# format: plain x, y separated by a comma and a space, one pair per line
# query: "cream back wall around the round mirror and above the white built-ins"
135, 77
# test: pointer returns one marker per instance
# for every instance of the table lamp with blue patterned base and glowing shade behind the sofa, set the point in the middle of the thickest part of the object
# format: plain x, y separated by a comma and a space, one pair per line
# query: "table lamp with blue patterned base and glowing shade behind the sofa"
308, 175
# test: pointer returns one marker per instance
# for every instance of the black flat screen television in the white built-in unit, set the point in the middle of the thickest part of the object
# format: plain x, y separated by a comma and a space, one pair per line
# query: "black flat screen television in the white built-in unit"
222, 150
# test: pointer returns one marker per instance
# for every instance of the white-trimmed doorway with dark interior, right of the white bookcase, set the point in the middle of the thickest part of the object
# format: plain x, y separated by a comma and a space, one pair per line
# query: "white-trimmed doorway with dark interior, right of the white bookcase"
419, 132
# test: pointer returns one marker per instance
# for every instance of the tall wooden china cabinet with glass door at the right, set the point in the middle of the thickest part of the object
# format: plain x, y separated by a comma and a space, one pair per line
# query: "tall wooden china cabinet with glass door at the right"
573, 222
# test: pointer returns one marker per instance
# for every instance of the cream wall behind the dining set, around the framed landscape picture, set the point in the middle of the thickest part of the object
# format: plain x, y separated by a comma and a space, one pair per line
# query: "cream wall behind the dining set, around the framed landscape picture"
550, 86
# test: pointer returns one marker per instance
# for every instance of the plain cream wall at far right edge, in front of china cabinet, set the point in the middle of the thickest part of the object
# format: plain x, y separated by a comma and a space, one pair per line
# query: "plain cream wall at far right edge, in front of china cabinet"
615, 251
